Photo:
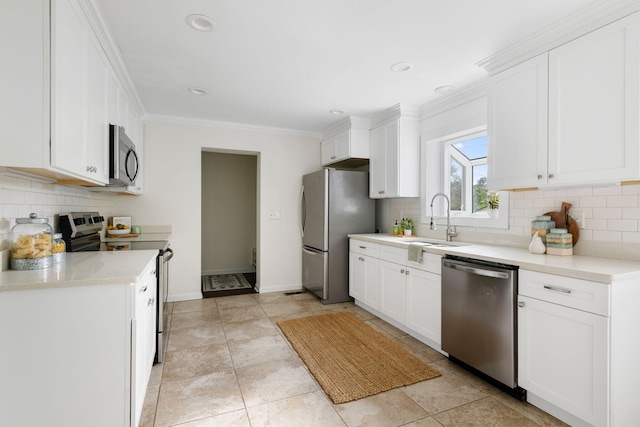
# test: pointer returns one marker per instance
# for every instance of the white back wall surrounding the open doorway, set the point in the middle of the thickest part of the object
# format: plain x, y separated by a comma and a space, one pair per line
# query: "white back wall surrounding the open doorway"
172, 193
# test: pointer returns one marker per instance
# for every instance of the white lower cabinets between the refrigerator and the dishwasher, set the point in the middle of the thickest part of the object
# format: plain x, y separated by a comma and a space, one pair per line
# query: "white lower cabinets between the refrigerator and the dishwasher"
407, 294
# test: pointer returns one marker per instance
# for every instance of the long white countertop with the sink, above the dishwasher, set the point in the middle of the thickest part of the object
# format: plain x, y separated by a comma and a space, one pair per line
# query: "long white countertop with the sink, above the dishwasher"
603, 270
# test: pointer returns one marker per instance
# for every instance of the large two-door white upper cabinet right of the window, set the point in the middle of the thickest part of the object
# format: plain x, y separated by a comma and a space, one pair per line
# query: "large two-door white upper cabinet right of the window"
570, 116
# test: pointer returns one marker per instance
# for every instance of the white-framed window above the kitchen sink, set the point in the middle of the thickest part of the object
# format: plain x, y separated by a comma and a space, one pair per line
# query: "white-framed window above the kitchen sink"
460, 172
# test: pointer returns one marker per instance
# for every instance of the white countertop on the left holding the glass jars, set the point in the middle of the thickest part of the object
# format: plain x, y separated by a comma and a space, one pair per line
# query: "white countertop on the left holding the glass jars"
82, 269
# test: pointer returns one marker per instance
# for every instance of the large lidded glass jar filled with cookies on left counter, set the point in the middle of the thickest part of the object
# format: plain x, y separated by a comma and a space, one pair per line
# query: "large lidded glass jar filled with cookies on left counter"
31, 243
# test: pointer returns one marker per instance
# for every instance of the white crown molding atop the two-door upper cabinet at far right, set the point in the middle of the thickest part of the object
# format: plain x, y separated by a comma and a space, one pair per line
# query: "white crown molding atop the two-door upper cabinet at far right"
587, 19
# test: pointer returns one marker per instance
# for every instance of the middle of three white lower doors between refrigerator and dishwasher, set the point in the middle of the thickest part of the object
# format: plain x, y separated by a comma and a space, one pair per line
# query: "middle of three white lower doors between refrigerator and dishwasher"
393, 290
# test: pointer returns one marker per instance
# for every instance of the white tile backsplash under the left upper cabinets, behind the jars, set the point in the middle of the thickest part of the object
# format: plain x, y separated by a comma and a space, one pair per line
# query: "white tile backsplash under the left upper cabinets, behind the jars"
19, 197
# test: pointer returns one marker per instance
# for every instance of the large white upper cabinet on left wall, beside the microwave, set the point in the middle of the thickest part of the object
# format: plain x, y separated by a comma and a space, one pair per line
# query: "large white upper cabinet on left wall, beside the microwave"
57, 99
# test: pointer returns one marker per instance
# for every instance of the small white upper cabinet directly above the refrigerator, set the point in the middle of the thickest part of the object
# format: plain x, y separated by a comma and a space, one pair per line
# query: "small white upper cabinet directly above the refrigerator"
346, 143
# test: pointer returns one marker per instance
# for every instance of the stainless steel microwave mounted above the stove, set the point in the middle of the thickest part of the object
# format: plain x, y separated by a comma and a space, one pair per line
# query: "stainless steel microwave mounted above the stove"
123, 159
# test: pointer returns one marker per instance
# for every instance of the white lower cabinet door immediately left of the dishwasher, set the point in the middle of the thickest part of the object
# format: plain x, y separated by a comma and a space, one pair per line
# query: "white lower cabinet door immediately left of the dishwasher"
424, 304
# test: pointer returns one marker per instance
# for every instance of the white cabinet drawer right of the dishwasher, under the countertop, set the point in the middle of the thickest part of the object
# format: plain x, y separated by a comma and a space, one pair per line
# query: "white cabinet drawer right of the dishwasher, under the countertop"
575, 293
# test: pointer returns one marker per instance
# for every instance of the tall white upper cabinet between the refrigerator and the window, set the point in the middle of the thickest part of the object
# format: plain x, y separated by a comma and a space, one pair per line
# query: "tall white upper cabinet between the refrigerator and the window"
394, 168
